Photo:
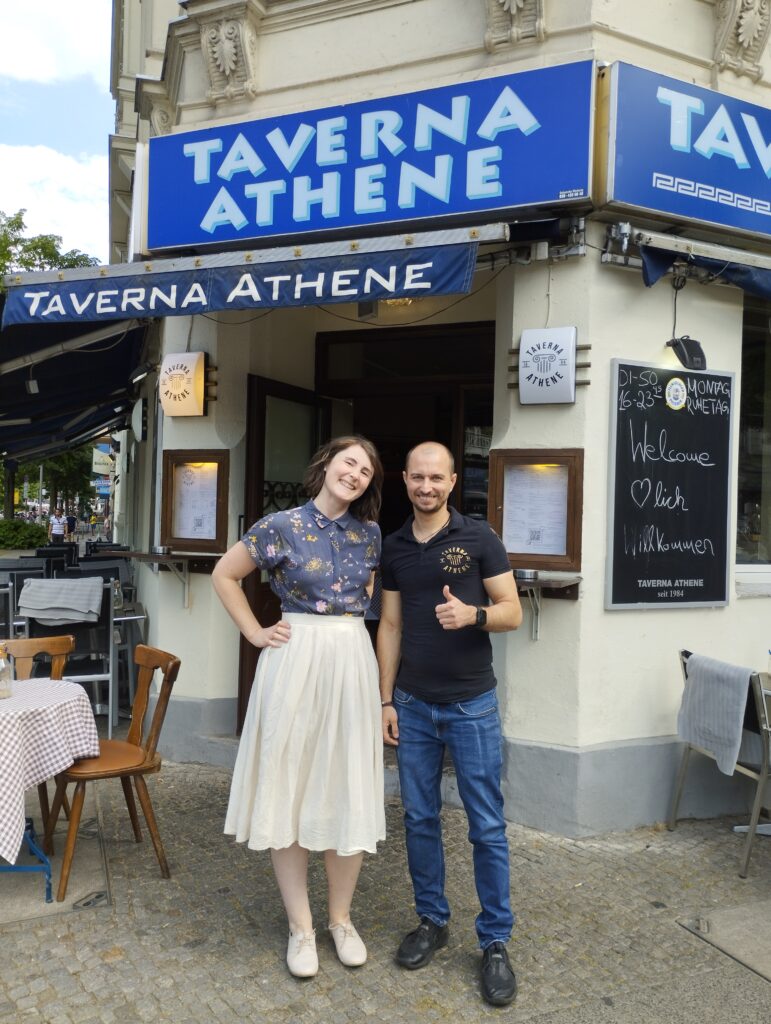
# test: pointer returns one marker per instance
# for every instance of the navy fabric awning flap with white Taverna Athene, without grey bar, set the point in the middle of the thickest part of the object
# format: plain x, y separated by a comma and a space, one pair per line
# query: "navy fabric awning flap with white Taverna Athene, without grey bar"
354, 278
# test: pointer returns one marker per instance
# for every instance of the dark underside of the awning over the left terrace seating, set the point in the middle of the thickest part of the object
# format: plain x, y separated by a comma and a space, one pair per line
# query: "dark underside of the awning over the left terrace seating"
61, 386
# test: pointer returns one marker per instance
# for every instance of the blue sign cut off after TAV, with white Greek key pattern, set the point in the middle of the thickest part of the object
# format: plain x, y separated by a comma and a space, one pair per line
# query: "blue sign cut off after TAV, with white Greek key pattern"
690, 152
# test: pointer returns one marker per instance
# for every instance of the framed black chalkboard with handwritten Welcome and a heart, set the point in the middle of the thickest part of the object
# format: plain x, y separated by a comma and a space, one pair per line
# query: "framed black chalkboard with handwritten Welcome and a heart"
669, 490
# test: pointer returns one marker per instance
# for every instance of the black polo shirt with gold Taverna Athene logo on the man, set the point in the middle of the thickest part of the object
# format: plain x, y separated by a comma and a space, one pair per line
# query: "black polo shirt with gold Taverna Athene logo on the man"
438, 665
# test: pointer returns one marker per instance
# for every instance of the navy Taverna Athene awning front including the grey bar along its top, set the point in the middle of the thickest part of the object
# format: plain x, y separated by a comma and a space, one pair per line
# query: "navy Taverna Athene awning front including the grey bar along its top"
408, 266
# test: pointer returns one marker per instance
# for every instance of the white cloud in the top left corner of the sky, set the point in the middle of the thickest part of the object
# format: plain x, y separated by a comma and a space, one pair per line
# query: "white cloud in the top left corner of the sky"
51, 40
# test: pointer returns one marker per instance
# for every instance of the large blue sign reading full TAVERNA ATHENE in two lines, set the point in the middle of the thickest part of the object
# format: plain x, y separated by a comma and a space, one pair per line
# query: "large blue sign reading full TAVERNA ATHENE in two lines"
468, 149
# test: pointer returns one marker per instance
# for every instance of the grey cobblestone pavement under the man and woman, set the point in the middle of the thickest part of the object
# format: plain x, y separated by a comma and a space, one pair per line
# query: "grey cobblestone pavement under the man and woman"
597, 925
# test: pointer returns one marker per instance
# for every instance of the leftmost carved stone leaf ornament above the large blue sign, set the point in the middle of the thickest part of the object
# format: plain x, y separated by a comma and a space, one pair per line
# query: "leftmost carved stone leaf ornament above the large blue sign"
230, 48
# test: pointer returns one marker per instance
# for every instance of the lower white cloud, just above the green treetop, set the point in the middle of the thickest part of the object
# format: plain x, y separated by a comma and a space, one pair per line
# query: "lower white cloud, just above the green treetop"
62, 195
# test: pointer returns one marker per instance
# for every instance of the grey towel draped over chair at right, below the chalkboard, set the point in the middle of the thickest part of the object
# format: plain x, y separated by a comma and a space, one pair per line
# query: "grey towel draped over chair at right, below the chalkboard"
712, 712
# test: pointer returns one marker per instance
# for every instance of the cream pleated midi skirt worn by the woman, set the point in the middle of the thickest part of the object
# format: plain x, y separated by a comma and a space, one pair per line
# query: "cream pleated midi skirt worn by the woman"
310, 769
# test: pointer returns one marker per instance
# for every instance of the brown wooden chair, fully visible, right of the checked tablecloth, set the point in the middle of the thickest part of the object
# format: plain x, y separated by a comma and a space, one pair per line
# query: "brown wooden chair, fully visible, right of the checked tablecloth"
131, 759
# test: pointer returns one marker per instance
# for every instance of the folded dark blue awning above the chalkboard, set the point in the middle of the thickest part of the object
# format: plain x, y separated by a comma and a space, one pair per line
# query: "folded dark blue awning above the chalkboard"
748, 271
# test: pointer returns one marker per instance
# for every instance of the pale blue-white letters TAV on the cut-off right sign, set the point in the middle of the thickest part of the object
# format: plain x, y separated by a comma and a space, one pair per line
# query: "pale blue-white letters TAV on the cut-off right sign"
719, 137
